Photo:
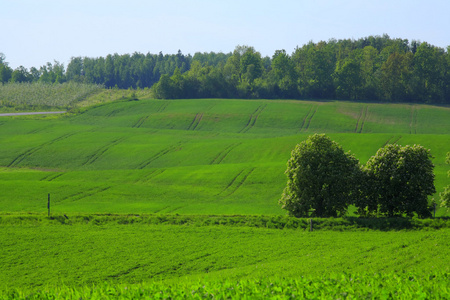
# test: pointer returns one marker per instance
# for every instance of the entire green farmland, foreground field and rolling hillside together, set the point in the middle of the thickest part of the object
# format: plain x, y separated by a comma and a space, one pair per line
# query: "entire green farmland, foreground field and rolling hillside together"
183, 161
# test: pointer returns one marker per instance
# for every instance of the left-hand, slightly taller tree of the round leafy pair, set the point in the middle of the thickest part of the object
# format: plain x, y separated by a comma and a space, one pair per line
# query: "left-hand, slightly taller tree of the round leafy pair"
321, 179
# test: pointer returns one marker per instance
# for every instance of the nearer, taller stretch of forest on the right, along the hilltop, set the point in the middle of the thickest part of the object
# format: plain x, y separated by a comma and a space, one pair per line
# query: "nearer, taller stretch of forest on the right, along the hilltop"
376, 68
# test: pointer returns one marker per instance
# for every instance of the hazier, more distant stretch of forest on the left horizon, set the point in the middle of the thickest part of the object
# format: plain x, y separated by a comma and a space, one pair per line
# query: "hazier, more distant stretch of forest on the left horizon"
122, 71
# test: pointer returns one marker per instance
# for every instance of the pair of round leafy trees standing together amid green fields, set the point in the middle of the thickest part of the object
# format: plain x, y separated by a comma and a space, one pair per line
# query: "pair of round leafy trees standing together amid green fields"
323, 181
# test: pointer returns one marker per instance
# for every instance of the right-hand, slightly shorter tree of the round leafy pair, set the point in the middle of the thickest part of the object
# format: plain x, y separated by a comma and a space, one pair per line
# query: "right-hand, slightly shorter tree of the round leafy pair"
398, 181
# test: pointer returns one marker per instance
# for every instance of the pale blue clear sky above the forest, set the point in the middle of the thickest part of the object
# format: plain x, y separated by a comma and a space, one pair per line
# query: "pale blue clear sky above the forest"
36, 32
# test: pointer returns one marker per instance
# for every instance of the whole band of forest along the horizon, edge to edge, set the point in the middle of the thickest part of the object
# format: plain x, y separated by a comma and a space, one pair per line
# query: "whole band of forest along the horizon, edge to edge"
375, 68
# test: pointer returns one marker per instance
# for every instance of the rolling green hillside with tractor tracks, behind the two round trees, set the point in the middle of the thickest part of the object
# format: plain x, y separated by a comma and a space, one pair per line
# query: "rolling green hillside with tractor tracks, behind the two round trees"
206, 156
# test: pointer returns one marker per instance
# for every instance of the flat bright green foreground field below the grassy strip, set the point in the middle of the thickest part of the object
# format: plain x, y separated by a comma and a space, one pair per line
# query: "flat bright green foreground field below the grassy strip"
43, 257
